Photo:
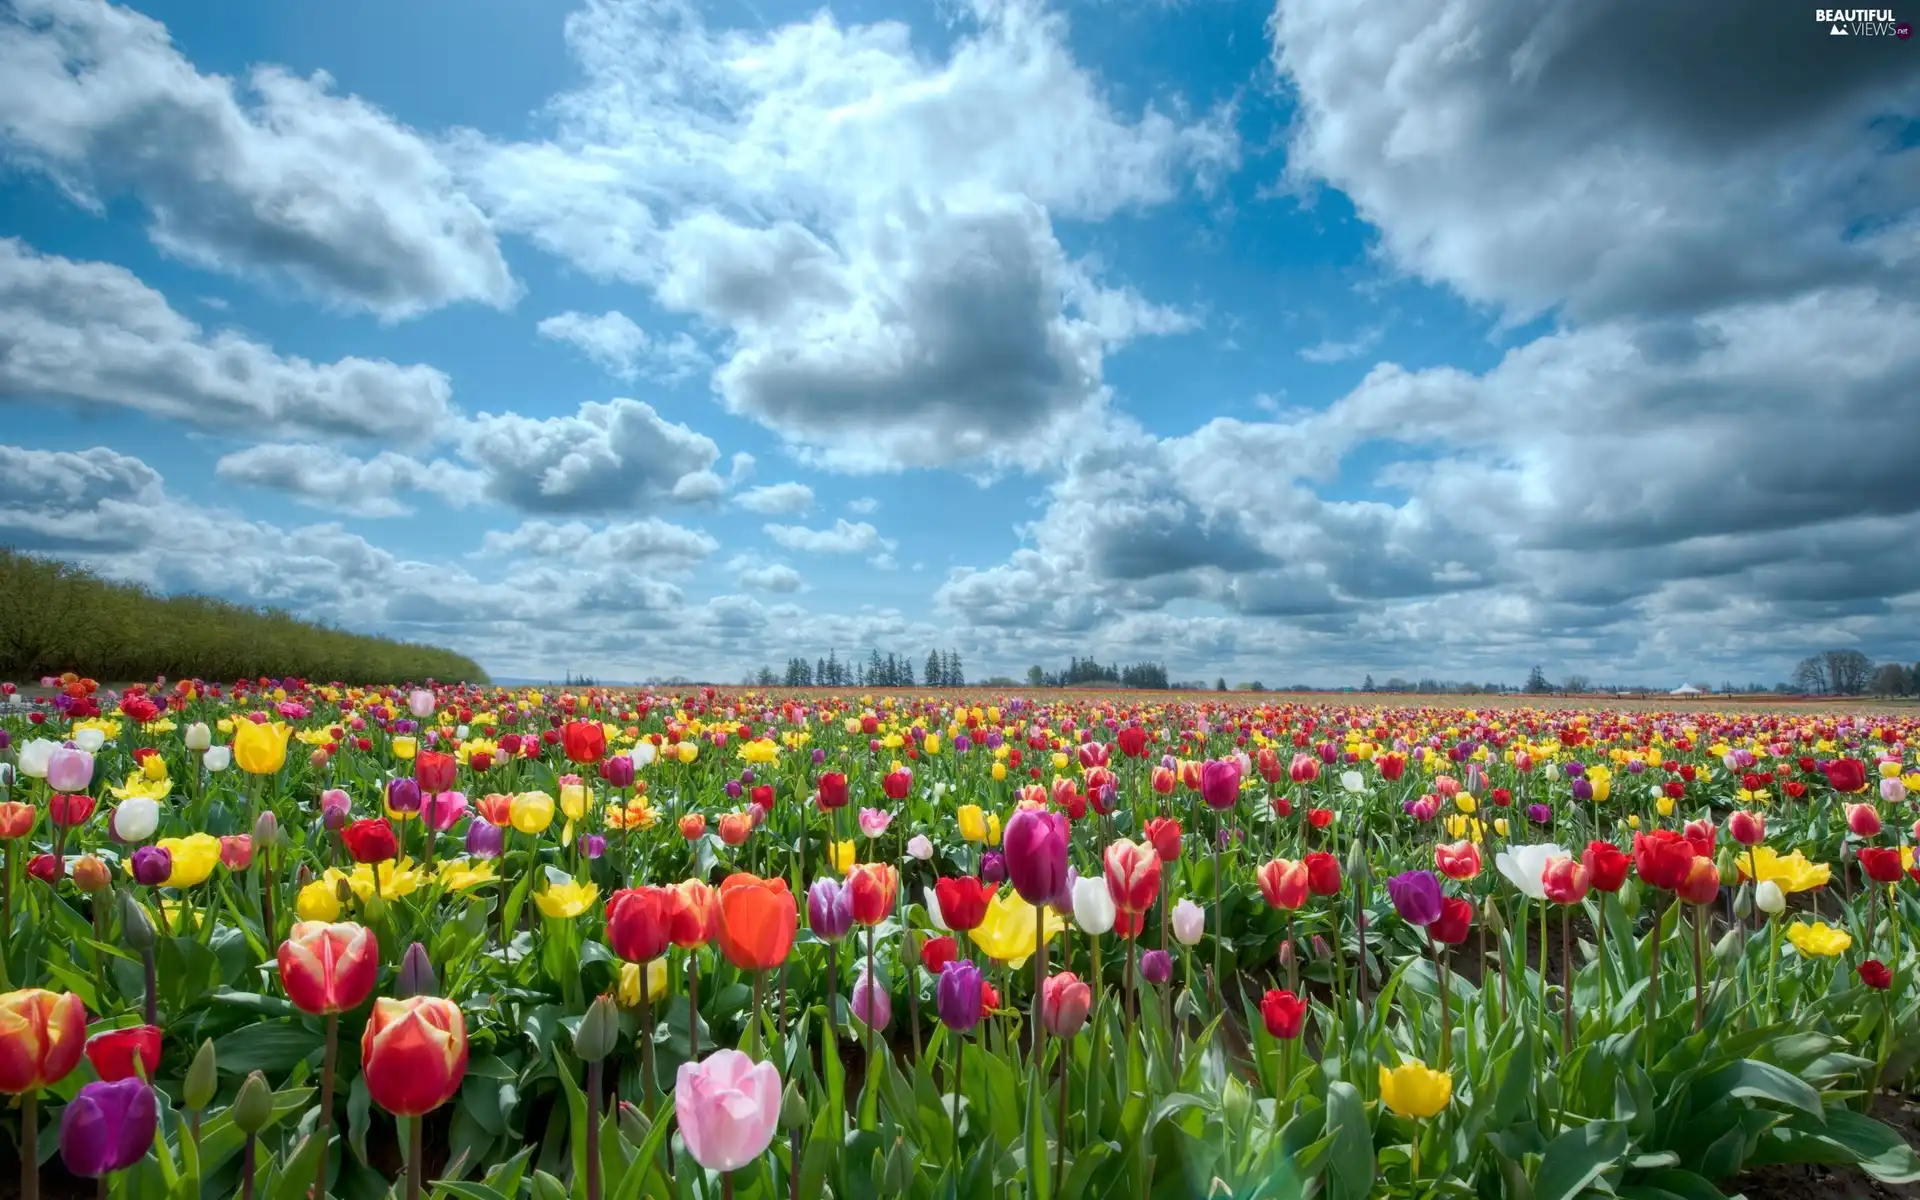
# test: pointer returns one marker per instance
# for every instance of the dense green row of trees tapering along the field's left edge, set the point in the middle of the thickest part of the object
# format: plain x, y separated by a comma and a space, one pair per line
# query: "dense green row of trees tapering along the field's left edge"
59, 617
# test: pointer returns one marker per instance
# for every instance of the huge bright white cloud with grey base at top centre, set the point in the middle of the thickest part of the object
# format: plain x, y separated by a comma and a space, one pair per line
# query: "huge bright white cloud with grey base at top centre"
869, 226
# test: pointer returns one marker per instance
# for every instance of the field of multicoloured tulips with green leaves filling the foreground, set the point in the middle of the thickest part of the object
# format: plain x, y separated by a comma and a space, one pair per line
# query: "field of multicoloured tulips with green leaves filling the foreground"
295, 940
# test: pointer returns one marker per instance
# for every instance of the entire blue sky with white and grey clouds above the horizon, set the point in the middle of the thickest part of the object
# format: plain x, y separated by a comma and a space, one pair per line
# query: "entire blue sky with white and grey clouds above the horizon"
648, 339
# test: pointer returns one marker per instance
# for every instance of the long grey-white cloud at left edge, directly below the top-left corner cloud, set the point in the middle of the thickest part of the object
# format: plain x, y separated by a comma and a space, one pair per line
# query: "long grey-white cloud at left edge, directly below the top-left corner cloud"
95, 335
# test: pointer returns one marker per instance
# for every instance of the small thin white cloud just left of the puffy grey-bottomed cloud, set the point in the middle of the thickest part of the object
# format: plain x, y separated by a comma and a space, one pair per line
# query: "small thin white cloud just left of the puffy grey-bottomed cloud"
329, 479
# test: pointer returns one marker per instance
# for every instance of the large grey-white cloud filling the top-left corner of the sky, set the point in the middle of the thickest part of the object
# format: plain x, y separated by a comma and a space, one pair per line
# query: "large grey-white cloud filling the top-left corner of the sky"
276, 176
